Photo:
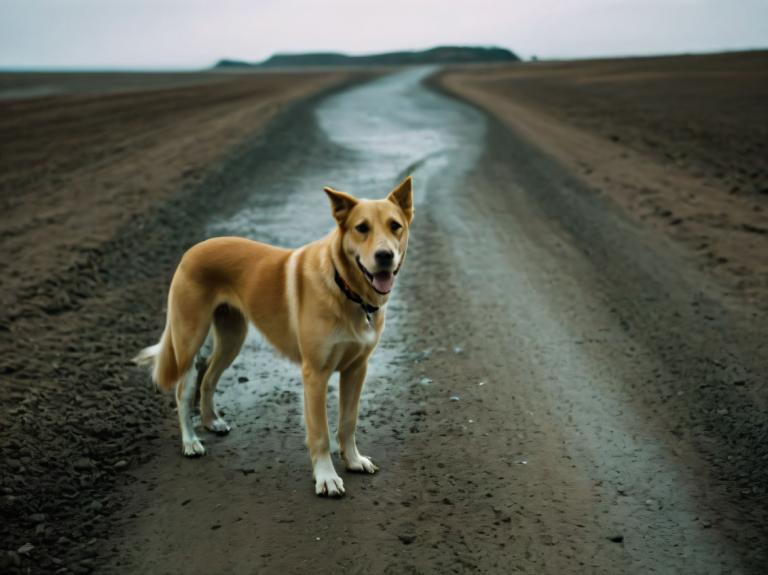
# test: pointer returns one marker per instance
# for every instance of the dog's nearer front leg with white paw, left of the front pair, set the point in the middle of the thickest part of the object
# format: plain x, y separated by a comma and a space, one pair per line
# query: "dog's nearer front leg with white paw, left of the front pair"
327, 481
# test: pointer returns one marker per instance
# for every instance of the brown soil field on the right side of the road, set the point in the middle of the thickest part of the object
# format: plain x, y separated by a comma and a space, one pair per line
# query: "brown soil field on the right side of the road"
680, 142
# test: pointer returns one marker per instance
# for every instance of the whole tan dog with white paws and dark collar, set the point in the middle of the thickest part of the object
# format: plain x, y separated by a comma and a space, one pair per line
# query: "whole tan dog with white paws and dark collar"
321, 305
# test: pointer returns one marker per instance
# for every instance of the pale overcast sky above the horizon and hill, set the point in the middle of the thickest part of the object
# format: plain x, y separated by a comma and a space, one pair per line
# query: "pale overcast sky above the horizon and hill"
192, 34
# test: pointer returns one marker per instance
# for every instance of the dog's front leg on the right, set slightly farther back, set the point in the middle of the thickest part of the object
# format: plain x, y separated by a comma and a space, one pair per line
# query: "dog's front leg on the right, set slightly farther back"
350, 388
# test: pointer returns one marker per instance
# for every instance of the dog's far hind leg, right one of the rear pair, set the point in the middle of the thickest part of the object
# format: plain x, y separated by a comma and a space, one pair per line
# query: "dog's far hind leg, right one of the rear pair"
229, 331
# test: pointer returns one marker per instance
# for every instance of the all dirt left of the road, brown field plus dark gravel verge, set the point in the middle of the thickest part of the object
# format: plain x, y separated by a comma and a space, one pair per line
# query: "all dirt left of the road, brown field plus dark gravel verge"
100, 194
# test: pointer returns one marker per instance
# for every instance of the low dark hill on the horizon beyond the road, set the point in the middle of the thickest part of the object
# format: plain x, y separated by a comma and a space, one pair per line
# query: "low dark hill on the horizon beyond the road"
439, 55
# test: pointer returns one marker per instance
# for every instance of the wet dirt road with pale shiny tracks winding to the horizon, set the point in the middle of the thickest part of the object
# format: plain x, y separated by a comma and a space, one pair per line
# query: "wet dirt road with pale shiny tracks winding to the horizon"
554, 392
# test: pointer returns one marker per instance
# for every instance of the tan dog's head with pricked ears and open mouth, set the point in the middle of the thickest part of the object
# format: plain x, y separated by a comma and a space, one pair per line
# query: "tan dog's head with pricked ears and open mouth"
374, 233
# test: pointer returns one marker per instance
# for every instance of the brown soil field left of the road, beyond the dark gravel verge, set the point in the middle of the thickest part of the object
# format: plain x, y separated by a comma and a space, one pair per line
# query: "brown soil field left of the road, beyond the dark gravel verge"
78, 167
